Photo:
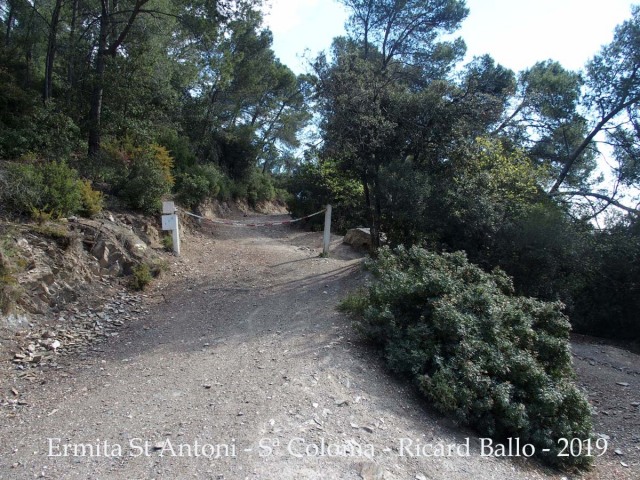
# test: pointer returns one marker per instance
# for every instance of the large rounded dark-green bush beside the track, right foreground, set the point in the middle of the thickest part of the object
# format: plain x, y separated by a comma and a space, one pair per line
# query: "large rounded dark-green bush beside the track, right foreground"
495, 361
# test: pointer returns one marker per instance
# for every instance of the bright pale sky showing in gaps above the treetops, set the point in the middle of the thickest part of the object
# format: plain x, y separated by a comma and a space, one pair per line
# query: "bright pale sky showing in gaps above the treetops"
516, 33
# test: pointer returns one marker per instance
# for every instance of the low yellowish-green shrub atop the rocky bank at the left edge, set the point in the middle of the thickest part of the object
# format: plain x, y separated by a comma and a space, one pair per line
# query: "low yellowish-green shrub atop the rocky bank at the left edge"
52, 189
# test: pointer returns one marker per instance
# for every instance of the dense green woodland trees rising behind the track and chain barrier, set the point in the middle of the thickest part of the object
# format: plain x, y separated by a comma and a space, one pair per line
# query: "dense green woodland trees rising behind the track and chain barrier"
535, 171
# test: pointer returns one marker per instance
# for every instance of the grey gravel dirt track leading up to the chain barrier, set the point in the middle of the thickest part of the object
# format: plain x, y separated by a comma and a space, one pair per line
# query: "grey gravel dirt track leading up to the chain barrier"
244, 361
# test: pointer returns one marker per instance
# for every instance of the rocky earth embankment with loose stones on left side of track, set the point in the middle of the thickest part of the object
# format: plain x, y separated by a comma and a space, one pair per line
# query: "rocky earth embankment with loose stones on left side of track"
65, 285
